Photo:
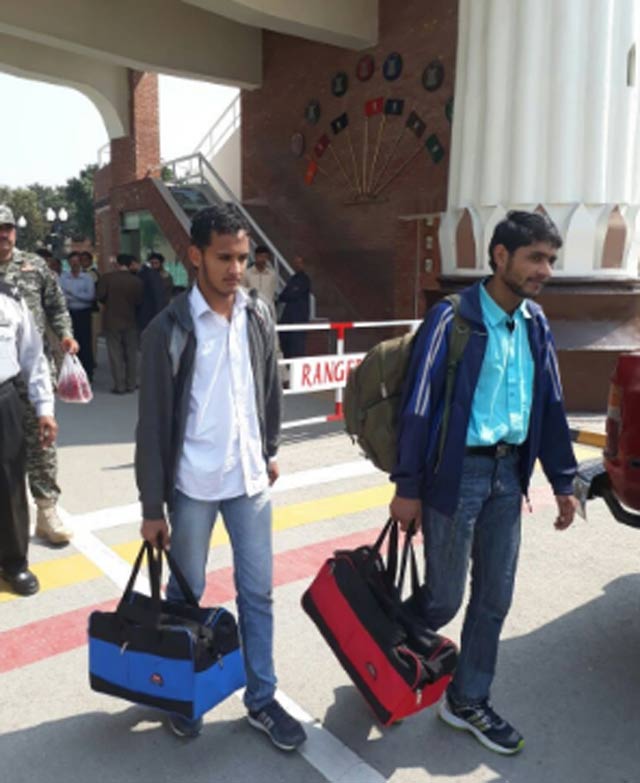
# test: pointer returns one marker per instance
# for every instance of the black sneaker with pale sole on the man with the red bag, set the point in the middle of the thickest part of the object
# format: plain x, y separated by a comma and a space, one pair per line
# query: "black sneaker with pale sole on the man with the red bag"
484, 723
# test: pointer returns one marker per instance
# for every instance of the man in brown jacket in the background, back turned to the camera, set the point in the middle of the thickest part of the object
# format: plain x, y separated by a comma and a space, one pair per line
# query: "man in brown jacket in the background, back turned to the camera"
121, 294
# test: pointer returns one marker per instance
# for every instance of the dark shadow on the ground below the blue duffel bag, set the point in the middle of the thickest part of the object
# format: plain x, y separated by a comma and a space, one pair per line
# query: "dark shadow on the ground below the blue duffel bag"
136, 745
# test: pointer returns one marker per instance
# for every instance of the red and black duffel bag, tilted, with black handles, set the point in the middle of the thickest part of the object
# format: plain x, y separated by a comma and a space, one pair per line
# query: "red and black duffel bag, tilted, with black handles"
398, 665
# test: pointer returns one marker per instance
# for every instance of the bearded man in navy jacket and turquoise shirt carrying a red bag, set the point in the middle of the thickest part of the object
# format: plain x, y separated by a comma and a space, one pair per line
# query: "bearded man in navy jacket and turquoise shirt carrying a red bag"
506, 411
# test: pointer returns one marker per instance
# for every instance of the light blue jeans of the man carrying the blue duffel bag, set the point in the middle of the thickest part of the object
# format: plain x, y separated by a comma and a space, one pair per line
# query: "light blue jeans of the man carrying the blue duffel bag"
248, 522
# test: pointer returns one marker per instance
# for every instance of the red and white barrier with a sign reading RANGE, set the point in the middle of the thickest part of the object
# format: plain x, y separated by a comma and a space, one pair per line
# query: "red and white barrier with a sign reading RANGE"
310, 374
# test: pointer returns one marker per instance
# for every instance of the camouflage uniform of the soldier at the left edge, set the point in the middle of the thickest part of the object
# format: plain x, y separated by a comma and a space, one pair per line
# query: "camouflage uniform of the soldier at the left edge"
41, 291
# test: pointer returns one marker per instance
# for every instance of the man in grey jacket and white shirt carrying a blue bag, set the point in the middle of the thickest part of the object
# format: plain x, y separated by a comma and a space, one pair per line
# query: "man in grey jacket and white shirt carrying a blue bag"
207, 437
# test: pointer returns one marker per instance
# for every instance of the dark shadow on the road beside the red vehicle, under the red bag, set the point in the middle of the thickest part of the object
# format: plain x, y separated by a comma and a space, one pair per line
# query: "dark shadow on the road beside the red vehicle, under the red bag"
572, 687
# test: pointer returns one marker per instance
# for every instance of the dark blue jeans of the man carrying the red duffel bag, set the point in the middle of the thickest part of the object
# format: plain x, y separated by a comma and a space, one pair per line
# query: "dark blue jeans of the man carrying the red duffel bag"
485, 529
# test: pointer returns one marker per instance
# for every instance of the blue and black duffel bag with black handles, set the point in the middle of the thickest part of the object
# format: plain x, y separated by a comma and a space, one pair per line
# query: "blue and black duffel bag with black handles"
179, 657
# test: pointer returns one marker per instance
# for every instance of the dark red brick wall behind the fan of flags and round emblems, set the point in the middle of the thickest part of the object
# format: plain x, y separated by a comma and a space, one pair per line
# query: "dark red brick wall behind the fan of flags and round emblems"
361, 263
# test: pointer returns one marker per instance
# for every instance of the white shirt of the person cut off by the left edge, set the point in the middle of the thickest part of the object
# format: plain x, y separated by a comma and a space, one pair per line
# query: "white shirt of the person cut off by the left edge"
21, 352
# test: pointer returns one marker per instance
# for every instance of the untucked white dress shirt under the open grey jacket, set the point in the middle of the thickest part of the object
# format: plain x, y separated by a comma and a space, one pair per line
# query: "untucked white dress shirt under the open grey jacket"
222, 451
